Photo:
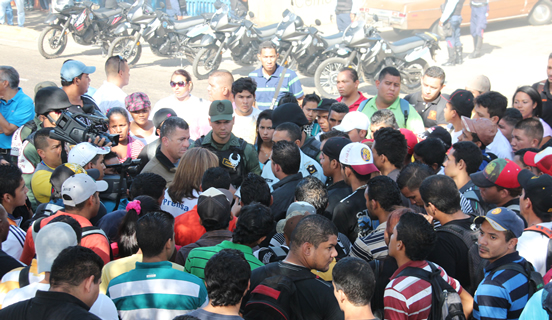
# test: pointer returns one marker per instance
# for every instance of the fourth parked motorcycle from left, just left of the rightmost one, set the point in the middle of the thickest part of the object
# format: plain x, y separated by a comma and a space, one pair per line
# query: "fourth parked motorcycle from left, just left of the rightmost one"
306, 45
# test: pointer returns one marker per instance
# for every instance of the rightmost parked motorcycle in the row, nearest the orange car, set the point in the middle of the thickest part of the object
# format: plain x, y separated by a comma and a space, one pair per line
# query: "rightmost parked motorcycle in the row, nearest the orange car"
365, 50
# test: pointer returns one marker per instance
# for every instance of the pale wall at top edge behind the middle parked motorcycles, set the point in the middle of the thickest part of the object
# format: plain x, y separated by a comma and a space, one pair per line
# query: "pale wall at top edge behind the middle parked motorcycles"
270, 11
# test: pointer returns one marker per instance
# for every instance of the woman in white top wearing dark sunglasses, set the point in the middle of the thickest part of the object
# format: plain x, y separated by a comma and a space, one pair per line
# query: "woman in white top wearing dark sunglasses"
194, 110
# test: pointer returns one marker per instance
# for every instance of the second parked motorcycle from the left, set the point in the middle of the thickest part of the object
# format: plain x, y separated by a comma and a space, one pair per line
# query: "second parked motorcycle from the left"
166, 37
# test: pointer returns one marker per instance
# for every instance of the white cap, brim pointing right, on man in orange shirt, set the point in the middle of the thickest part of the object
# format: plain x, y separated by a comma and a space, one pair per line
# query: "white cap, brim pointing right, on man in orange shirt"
79, 188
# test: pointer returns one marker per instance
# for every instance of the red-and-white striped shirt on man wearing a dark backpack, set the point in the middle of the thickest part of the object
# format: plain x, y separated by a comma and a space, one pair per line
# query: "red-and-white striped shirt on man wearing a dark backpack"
408, 297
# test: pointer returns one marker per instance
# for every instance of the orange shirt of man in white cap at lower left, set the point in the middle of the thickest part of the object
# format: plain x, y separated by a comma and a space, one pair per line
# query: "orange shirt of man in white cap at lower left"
97, 242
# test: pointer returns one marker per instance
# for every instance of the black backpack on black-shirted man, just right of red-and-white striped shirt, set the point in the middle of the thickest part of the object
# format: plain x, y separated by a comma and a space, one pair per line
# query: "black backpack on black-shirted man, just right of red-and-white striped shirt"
475, 262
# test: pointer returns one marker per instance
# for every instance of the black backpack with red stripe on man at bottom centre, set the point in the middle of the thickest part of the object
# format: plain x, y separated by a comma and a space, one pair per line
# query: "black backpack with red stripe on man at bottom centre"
275, 297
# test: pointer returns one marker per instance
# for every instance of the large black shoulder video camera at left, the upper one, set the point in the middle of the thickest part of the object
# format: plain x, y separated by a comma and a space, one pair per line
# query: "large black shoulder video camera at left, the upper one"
71, 129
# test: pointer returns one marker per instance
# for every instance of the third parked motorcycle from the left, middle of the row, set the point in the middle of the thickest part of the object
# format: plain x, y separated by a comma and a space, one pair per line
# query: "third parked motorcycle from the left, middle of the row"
238, 35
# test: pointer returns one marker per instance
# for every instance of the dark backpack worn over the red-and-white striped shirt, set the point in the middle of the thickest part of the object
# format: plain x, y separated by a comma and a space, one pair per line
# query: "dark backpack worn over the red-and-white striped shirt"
445, 301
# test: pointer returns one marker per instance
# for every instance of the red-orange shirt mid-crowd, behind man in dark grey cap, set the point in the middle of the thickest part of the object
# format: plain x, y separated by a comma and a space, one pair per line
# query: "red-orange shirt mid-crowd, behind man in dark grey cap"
188, 229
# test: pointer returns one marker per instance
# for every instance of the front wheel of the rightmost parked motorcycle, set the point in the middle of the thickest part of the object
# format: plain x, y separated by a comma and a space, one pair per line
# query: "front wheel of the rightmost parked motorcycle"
325, 77
